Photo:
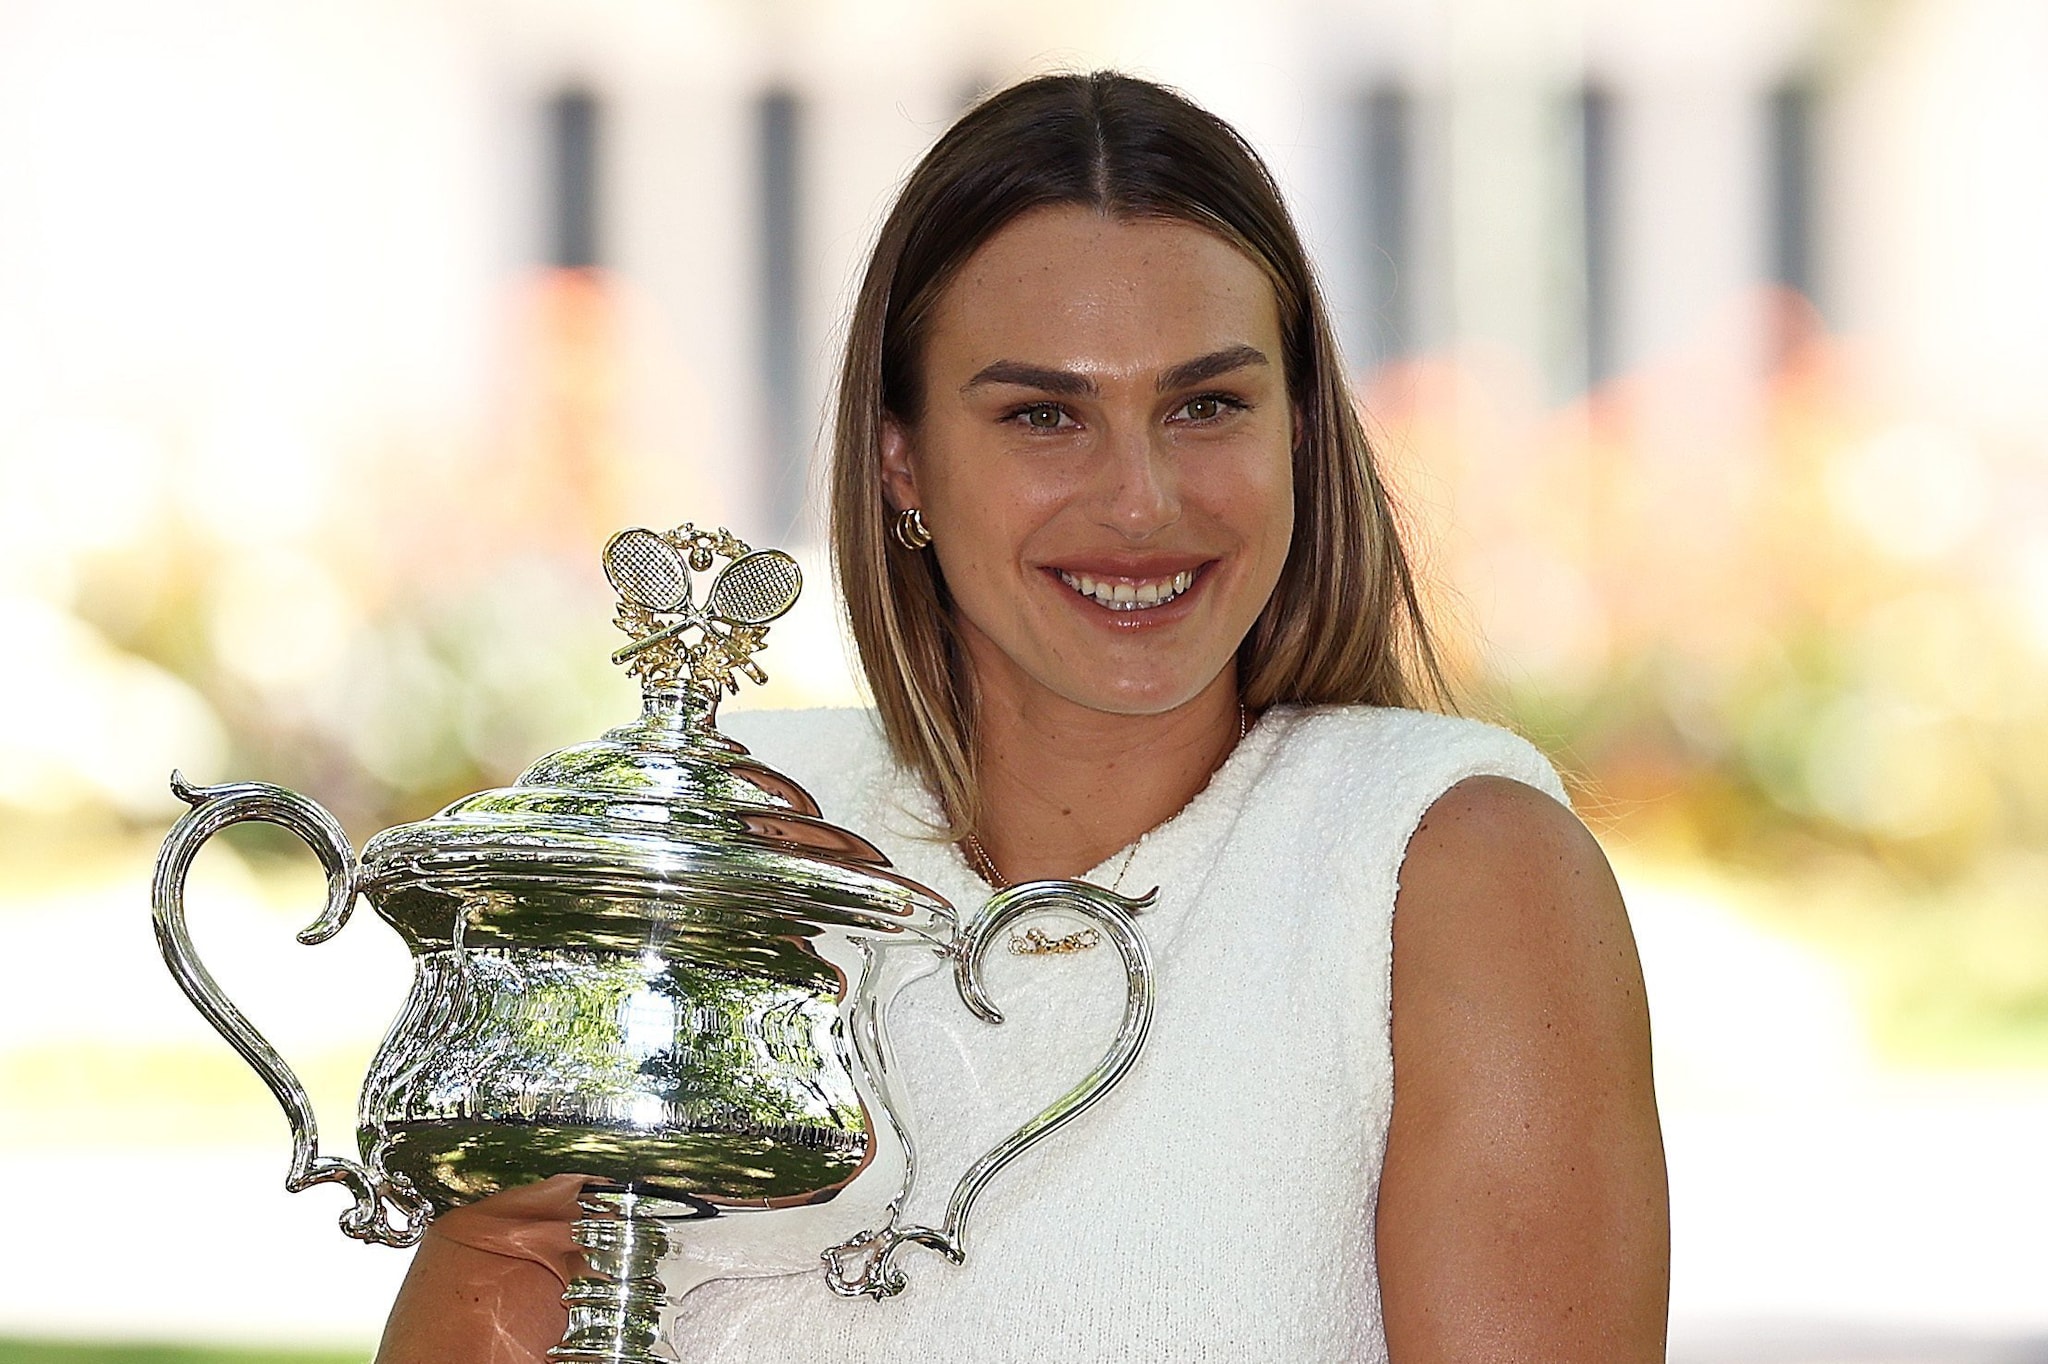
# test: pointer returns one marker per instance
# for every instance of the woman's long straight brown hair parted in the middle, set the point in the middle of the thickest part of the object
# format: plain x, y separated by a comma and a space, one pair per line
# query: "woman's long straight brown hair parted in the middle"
1345, 622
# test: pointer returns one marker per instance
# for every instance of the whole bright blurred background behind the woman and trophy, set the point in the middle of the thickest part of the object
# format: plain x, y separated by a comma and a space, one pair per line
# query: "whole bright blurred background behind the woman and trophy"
1705, 339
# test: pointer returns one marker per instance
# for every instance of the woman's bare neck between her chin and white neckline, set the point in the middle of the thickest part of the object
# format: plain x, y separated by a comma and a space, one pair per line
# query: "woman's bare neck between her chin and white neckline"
1064, 785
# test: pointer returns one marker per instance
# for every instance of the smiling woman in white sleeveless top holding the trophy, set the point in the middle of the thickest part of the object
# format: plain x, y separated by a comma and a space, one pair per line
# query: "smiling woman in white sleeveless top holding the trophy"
1132, 605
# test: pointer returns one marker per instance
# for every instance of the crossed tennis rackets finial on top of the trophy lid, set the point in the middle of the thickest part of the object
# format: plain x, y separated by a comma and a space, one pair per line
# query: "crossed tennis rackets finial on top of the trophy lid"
675, 640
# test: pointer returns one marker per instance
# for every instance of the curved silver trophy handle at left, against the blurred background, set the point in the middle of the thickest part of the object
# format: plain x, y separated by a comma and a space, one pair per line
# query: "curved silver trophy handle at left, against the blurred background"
388, 1211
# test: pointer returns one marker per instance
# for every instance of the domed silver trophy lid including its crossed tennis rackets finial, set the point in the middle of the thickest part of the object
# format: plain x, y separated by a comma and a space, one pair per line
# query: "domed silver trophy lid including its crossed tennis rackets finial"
663, 822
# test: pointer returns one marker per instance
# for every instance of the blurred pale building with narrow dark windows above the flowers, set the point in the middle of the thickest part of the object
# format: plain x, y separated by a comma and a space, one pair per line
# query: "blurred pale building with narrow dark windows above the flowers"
318, 224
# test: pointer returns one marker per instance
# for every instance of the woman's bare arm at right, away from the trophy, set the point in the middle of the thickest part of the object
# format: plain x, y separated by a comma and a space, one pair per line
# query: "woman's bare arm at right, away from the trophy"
1523, 1205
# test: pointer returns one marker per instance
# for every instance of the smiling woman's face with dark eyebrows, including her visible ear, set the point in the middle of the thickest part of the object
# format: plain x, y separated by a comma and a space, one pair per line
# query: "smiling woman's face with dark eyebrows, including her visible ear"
1103, 458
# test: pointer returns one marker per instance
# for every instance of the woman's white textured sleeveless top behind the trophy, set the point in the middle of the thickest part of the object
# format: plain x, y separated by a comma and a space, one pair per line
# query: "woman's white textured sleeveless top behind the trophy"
1218, 1205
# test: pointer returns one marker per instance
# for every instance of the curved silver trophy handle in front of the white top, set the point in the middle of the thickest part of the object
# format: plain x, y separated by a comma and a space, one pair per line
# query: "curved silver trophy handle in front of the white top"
867, 1263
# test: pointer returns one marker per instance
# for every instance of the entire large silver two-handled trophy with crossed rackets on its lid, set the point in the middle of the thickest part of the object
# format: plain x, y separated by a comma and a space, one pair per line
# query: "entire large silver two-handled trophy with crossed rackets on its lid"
654, 966
